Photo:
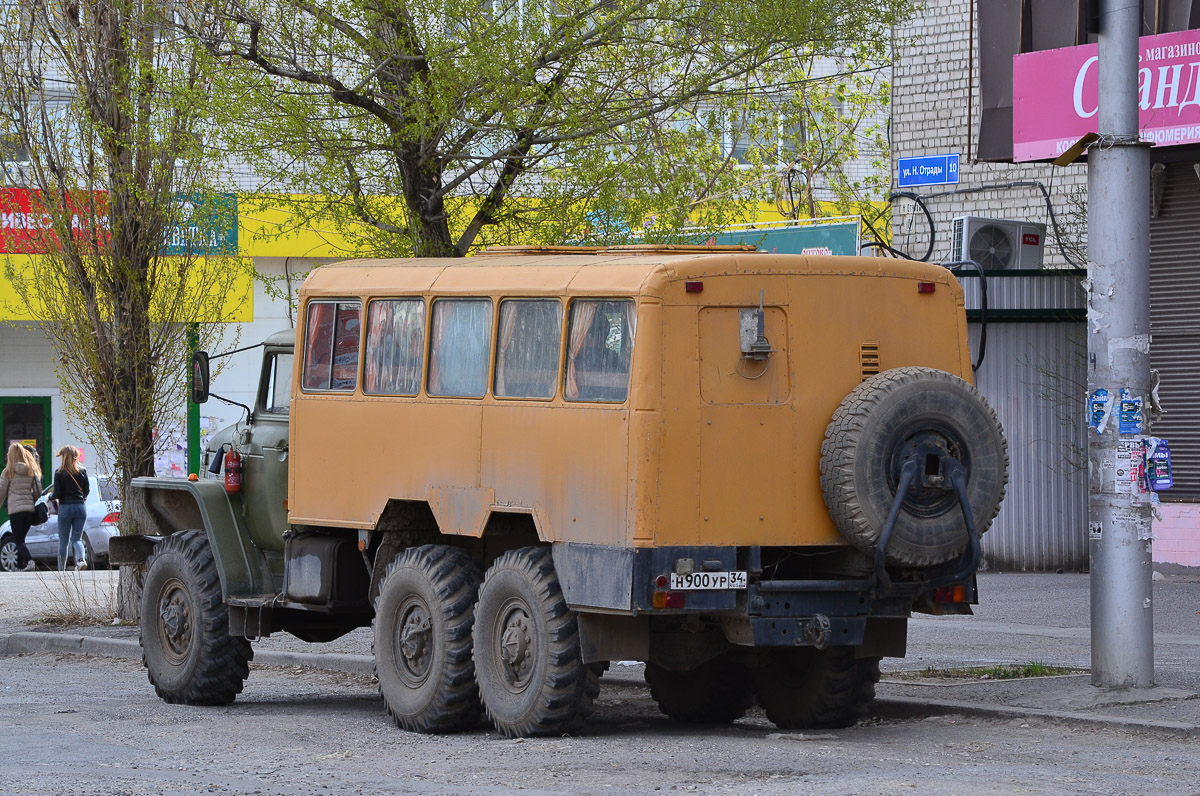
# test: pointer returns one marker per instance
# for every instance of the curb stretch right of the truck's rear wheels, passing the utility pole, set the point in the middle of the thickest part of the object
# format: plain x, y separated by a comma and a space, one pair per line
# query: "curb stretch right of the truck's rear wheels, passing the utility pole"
904, 708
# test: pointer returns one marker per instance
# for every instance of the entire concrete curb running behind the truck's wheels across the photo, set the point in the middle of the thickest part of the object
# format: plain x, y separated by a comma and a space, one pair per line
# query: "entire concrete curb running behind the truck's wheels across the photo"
32, 643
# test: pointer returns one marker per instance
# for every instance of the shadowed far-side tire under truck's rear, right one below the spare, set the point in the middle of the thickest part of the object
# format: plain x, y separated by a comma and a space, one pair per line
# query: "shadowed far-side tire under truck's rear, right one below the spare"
809, 689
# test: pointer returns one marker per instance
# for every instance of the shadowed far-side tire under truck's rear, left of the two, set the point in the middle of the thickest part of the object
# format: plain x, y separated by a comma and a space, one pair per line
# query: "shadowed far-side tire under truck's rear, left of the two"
717, 692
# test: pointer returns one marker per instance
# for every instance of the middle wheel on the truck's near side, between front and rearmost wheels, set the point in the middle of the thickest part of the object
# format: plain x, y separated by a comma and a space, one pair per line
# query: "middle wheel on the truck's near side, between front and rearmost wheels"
423, 639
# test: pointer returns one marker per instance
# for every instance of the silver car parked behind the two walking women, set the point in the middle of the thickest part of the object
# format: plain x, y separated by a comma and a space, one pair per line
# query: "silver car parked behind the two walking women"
104, 512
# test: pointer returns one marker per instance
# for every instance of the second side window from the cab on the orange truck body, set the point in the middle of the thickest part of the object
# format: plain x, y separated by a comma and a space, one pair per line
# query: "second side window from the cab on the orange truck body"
395, 349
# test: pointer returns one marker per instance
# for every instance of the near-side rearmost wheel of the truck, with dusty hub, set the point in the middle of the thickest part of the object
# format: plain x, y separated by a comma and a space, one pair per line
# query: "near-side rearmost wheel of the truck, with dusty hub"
531, 674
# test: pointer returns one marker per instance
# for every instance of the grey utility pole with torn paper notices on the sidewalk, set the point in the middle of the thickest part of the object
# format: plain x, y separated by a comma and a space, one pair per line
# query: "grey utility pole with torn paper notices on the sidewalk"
1119, 358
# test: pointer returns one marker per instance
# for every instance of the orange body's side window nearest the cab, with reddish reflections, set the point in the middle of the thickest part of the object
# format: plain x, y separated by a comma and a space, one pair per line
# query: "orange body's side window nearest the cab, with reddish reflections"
332, 346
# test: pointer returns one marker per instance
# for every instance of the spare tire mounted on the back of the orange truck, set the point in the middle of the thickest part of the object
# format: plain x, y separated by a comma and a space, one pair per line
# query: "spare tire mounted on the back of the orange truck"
892, 417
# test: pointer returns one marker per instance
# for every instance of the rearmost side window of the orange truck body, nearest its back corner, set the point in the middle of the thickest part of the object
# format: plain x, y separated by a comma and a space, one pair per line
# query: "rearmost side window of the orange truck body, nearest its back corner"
601, 348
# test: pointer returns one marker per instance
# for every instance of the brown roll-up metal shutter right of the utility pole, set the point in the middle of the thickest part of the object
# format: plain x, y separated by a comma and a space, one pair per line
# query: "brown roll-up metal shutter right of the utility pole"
1175, 324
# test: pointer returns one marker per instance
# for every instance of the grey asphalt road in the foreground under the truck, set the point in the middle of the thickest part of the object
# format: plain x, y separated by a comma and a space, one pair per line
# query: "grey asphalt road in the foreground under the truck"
73, 726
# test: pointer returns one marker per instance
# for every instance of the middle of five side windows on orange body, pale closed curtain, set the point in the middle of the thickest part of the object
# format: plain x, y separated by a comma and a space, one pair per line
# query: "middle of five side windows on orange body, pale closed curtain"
460, 346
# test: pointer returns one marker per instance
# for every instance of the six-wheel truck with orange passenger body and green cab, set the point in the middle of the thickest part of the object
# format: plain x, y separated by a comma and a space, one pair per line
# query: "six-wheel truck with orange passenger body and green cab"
745, 470
